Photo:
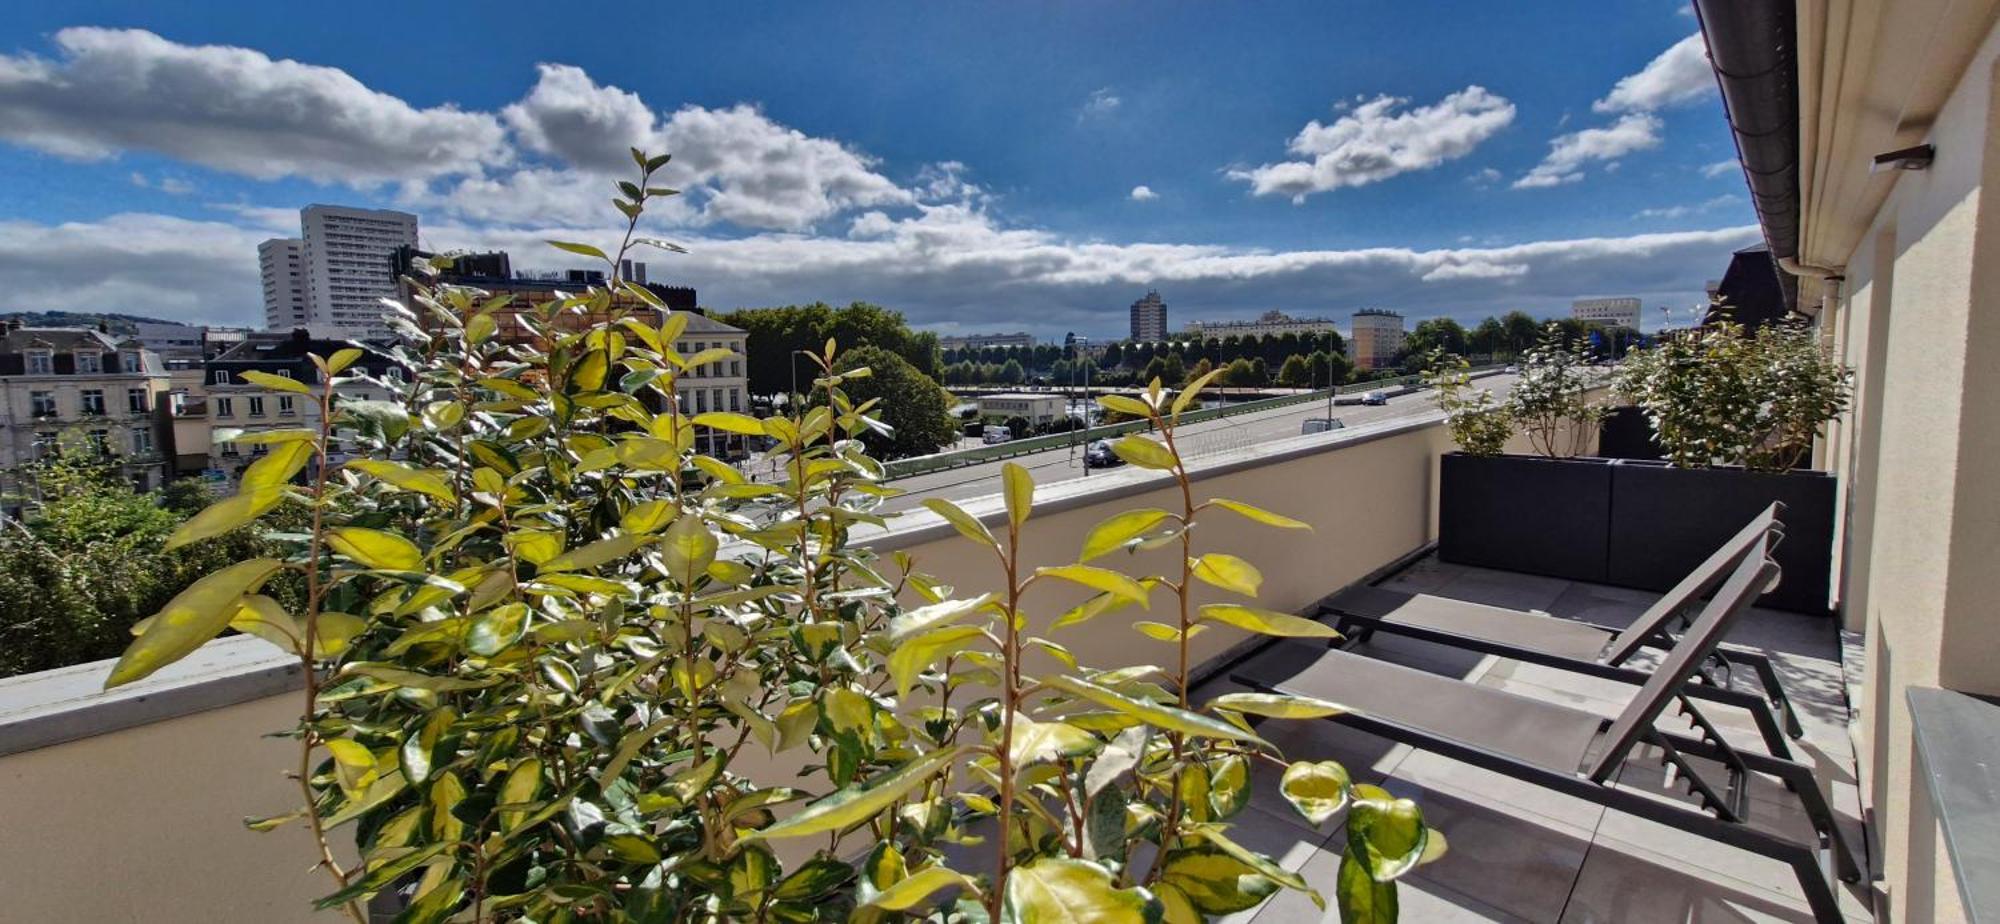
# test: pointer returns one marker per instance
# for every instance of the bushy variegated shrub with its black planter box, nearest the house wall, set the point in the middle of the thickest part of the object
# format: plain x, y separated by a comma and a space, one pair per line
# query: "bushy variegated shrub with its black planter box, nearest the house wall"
1735, 415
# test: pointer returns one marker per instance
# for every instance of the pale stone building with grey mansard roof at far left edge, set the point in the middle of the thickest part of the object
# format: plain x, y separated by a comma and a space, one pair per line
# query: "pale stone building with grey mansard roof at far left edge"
63, 385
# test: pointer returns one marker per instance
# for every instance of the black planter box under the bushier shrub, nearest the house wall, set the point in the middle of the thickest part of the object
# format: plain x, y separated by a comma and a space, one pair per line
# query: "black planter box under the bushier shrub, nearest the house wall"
1667, 521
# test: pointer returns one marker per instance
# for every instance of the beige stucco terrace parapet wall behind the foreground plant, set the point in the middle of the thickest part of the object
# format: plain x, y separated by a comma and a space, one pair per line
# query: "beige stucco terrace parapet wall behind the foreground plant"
145, 825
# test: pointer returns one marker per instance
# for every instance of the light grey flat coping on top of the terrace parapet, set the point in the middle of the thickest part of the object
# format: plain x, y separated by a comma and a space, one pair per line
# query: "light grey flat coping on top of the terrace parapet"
65, 705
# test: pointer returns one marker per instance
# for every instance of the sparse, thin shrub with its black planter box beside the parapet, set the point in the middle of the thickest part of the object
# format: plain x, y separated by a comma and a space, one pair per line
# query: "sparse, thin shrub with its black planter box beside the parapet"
1547, 513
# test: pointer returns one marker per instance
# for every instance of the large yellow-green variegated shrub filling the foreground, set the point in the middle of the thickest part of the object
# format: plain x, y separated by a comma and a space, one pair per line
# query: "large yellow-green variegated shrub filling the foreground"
545, 643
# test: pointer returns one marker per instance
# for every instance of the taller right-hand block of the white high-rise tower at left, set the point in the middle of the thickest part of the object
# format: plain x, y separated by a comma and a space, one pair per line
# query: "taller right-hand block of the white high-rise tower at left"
347, 259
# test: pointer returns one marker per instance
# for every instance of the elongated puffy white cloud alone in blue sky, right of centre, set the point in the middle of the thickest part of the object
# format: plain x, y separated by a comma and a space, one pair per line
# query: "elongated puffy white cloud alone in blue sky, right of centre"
1379, 139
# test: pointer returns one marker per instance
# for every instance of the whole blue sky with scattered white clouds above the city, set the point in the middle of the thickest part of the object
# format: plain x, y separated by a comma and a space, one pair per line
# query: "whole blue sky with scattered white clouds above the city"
973, 165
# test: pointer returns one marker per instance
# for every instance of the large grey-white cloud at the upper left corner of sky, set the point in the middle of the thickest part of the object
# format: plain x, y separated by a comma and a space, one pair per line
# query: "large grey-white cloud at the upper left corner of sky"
229, 109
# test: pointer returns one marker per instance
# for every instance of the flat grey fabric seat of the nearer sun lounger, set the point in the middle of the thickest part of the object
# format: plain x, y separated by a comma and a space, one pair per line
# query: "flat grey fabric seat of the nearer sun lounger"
1533, 731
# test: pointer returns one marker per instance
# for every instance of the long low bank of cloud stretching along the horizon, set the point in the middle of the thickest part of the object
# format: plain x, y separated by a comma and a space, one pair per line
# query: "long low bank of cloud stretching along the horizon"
939, 263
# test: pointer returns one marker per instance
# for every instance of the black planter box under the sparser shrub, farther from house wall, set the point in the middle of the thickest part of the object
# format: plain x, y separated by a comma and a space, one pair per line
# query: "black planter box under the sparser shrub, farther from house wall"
1527, 515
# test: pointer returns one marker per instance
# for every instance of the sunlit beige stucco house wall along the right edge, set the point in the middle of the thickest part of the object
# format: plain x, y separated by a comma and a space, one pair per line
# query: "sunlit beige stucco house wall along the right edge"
1921, 463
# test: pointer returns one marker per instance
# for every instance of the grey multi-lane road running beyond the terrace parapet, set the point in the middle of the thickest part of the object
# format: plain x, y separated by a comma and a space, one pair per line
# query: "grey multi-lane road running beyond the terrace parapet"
1195, 441
